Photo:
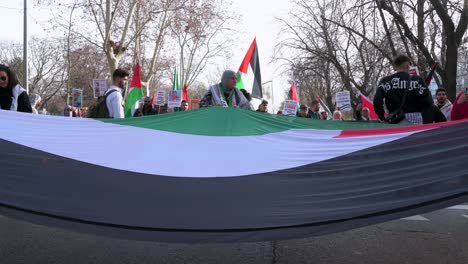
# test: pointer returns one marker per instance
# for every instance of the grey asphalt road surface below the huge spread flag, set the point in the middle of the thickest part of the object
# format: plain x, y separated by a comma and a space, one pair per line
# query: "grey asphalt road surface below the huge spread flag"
438, 237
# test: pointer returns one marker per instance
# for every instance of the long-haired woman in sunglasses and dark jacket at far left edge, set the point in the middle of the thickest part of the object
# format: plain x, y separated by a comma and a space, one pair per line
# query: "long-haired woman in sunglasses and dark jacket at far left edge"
13, 97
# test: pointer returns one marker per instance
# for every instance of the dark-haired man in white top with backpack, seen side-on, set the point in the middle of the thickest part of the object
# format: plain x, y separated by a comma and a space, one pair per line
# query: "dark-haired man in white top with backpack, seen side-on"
114, 101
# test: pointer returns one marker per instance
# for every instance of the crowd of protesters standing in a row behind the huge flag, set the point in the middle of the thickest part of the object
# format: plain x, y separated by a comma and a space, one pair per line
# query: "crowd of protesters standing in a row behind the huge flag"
398, 92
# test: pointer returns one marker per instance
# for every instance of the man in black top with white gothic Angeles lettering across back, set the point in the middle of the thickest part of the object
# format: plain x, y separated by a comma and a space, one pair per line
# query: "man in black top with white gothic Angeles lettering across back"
392, 89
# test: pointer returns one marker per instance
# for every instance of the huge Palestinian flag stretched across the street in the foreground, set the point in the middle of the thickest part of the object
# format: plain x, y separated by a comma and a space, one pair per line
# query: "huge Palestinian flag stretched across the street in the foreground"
225, 175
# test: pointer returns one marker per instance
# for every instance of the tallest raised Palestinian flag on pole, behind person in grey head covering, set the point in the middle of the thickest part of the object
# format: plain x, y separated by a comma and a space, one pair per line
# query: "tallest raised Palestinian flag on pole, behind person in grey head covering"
251, 58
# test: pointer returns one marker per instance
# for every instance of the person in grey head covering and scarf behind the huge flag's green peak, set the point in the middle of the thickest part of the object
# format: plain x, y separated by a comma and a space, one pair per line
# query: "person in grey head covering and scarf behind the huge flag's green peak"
225, 93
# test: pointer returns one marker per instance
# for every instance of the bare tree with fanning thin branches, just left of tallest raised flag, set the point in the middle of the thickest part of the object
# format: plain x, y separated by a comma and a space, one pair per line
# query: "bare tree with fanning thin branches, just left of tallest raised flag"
203, 30
